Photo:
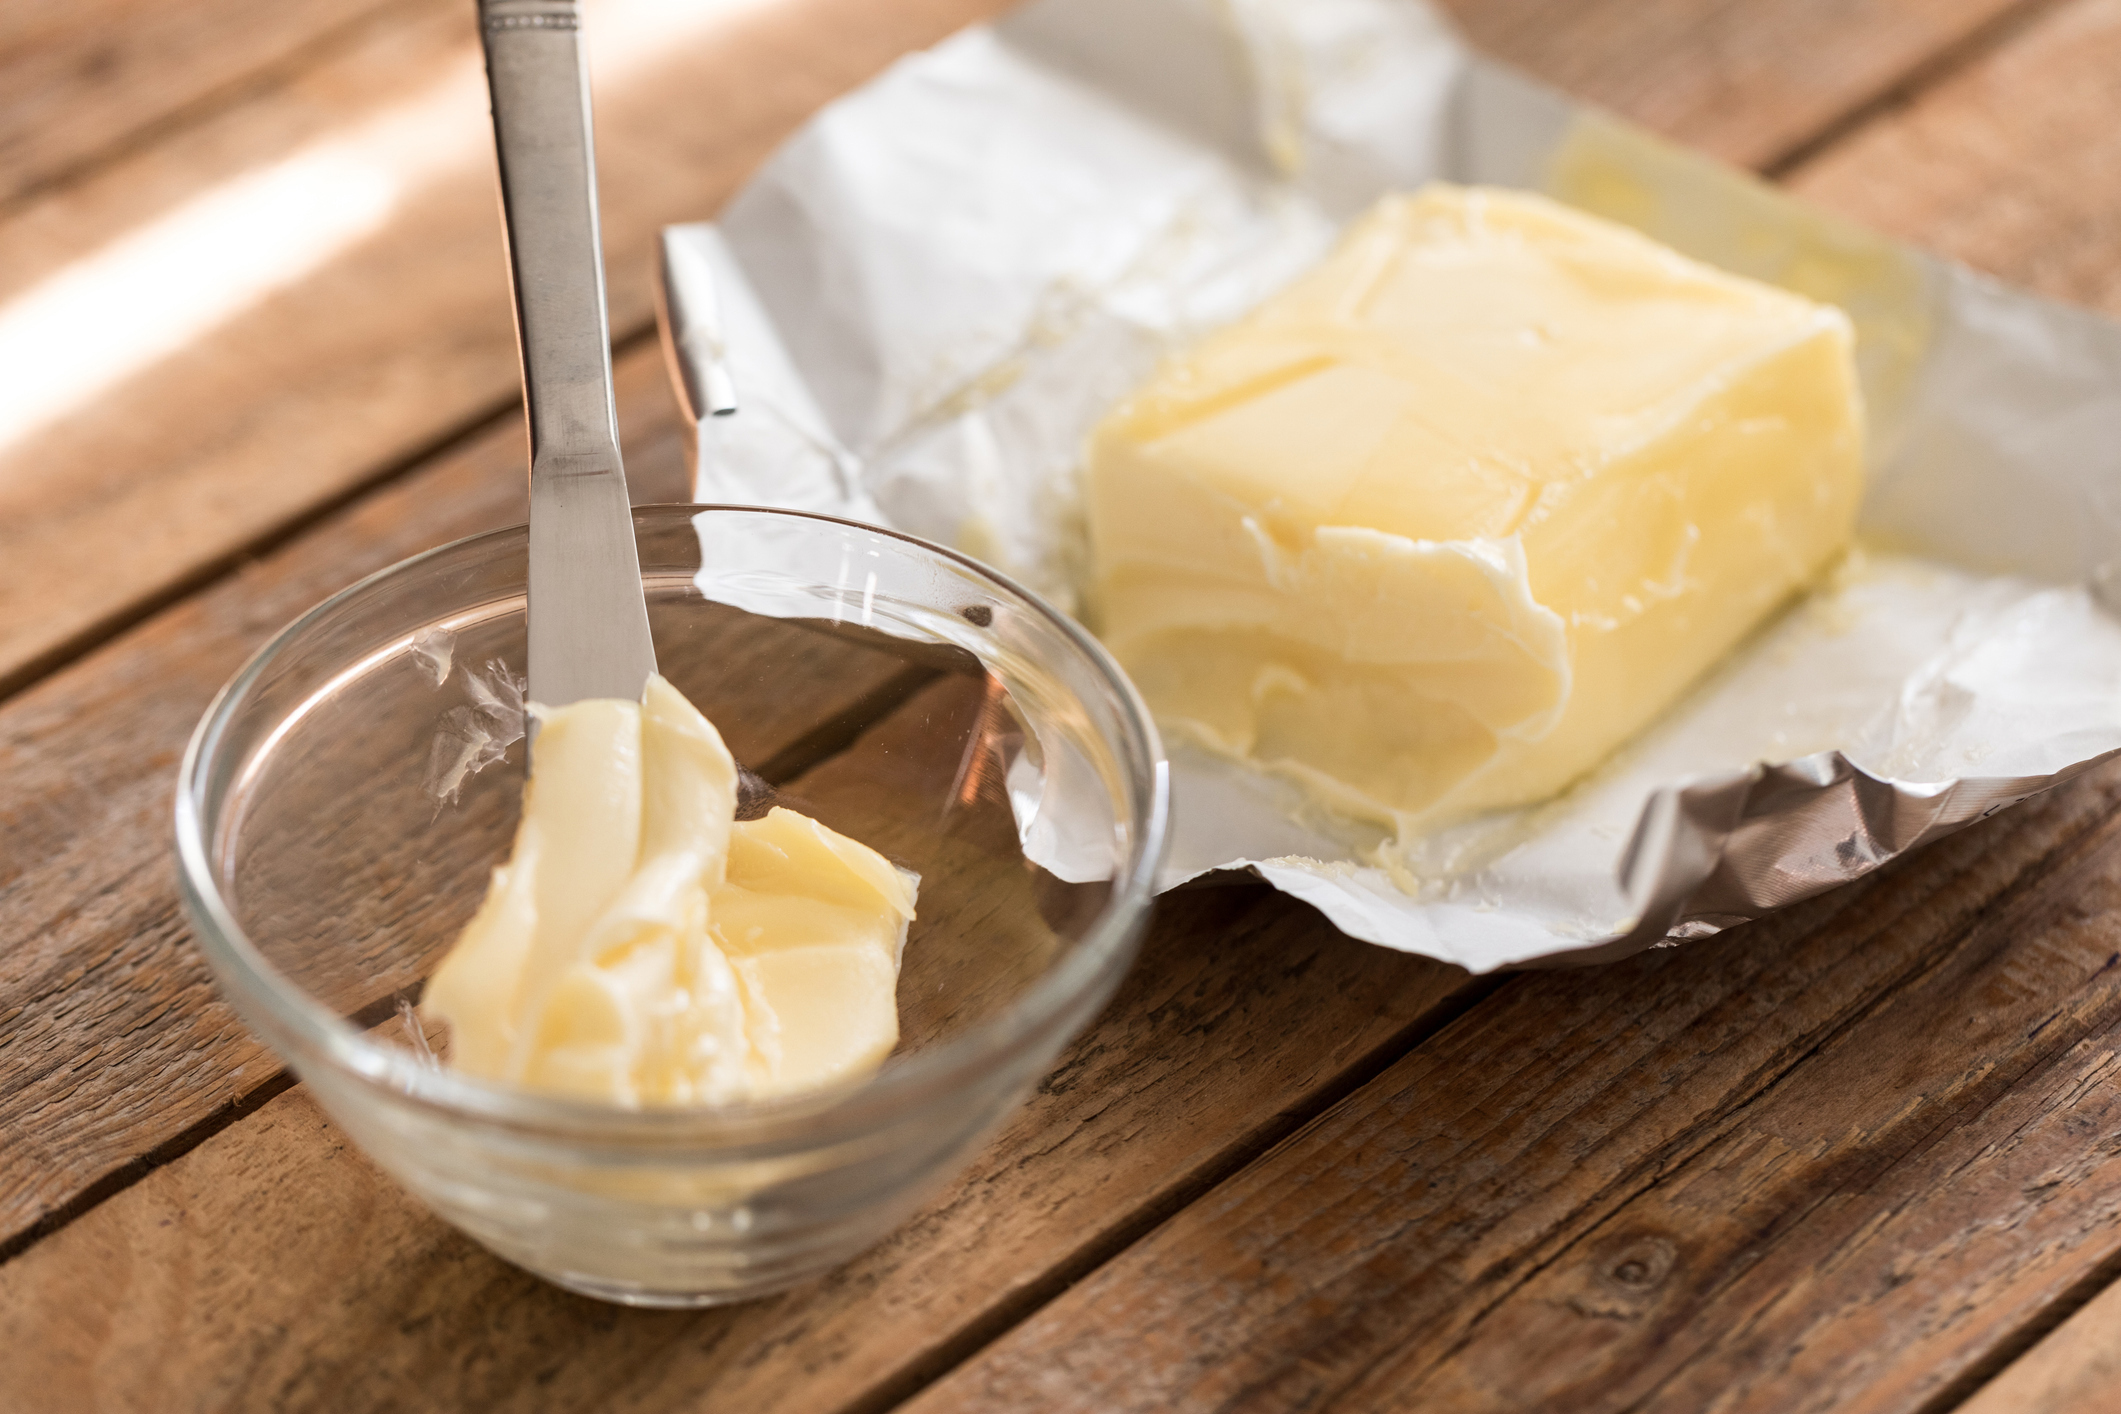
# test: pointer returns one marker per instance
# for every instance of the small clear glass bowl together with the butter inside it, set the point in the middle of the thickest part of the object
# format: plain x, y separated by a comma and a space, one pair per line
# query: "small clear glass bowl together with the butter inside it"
754, 1046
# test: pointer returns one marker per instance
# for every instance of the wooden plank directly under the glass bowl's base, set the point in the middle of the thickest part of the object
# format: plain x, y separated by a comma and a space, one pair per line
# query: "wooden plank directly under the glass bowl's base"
275, 1269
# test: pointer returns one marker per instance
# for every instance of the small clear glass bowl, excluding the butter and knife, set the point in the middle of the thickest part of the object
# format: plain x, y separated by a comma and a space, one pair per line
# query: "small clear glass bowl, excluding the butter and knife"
898, 692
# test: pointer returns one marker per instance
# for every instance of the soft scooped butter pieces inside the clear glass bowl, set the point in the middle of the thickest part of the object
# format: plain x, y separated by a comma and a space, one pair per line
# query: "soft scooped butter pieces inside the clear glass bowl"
644, 947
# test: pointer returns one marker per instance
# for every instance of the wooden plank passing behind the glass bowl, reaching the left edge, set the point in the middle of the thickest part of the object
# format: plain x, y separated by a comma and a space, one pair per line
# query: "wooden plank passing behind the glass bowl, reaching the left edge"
111, 1038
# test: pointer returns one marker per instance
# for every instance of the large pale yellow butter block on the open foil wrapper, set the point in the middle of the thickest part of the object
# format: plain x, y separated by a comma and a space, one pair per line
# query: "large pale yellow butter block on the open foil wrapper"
1454, 516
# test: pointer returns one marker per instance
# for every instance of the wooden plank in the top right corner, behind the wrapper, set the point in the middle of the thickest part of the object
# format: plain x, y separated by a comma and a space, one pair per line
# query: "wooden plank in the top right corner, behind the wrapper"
2005, 166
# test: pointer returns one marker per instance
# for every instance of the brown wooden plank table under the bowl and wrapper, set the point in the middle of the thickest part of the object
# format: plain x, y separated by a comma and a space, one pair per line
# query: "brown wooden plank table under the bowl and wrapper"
1863, 1156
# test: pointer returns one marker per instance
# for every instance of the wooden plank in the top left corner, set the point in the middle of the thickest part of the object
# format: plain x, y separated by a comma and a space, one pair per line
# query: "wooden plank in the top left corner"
84, 77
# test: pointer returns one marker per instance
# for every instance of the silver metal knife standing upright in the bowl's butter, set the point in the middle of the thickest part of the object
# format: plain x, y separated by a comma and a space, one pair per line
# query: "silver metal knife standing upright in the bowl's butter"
589, 616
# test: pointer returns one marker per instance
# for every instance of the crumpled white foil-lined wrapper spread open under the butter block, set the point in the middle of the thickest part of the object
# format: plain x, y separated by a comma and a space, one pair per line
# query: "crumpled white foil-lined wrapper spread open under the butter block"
936, 289
